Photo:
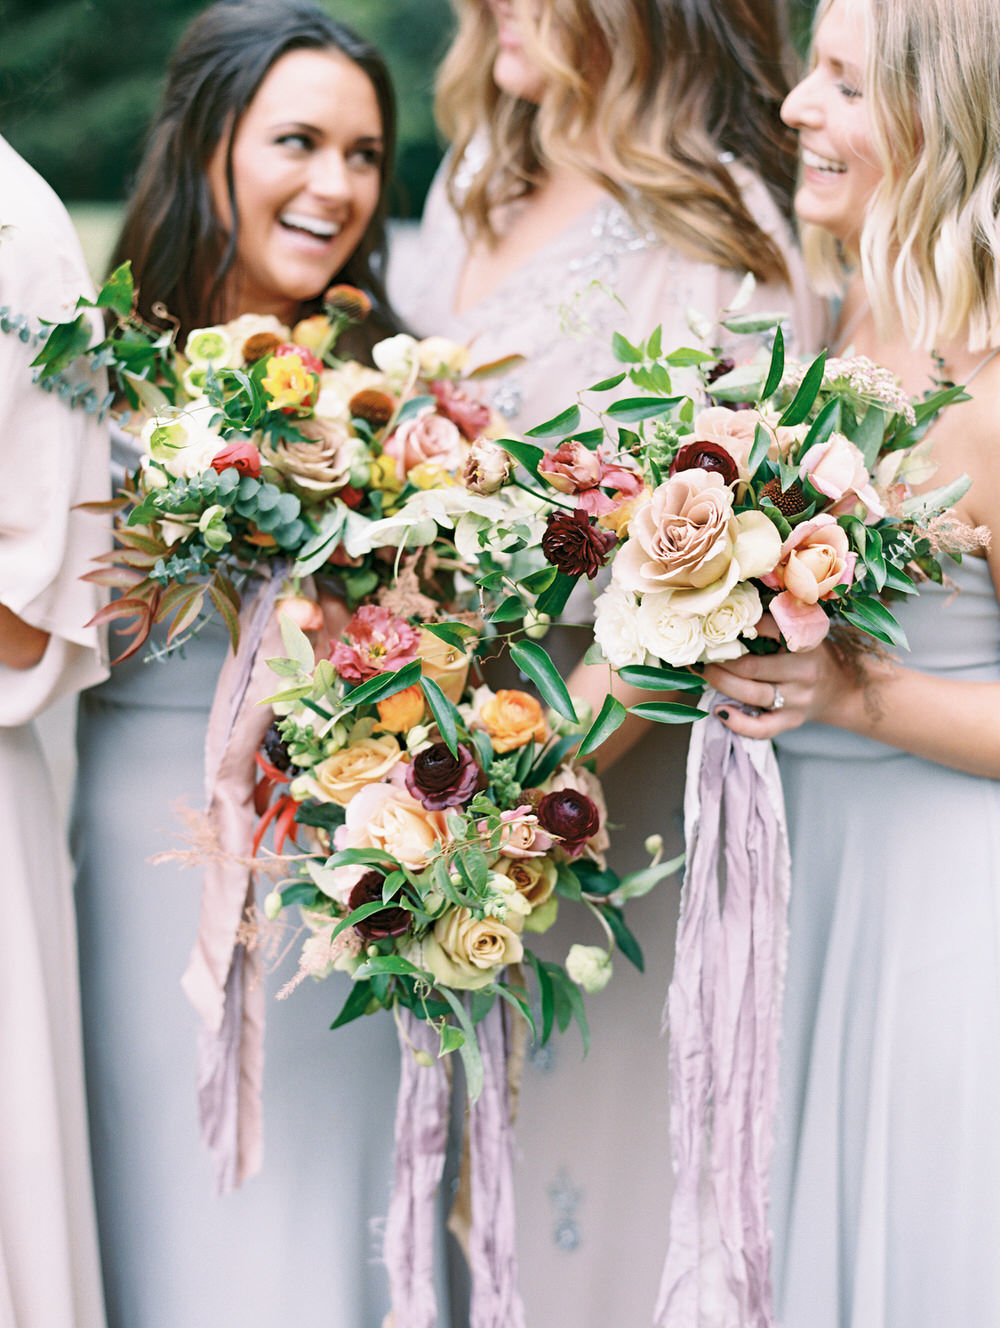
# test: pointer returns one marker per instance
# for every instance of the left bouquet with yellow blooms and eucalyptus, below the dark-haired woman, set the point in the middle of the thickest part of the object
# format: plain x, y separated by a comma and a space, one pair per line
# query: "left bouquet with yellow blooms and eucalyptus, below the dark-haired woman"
262, 454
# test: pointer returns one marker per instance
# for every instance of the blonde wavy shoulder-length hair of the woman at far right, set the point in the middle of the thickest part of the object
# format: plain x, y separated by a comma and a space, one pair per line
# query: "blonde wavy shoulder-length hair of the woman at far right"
930, 245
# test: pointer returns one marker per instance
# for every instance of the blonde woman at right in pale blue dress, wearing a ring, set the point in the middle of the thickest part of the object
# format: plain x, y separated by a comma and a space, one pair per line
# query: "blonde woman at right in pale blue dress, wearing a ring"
888, 1187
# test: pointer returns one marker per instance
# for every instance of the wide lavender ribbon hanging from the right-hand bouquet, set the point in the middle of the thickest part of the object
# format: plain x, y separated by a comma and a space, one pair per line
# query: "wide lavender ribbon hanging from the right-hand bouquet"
724, 1014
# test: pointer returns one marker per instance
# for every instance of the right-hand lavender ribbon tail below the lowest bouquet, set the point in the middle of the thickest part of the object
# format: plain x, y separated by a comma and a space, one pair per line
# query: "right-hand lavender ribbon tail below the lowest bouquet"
493, 1261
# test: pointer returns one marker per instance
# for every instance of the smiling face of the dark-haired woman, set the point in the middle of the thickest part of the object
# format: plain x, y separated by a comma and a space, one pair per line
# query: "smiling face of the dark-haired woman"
307, 160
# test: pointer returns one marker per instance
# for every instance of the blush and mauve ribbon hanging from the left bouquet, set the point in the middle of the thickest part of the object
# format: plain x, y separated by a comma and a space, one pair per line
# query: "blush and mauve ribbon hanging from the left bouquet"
222, 979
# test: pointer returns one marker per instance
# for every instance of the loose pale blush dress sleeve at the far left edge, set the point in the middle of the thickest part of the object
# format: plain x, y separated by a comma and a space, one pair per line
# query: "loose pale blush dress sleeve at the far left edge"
52, 459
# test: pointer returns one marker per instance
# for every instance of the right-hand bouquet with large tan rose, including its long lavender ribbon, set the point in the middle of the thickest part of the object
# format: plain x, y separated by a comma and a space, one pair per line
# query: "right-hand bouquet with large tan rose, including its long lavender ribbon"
719, 493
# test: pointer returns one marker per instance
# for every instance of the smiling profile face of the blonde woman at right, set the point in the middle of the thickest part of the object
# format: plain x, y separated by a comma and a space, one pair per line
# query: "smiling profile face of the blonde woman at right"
829, 111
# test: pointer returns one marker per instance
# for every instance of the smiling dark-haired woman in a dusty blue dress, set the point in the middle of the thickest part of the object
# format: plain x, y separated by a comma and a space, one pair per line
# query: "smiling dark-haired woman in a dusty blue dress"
264, 183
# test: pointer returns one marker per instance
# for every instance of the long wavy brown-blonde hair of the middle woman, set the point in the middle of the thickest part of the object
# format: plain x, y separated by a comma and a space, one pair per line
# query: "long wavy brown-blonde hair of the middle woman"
642, 98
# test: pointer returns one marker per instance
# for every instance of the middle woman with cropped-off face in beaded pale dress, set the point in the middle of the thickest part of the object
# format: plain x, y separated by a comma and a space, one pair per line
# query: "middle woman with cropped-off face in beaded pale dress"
606, 175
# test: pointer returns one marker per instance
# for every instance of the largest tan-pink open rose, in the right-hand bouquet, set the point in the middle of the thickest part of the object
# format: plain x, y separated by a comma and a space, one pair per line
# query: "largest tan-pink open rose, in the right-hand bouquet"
687, 540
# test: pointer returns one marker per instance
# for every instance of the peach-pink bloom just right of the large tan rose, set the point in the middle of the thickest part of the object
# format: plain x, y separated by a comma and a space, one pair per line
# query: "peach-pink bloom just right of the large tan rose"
815, 561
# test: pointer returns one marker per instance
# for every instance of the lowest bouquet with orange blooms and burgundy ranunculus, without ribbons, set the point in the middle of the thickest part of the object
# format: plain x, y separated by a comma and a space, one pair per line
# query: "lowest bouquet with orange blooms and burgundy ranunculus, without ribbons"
448, 824
